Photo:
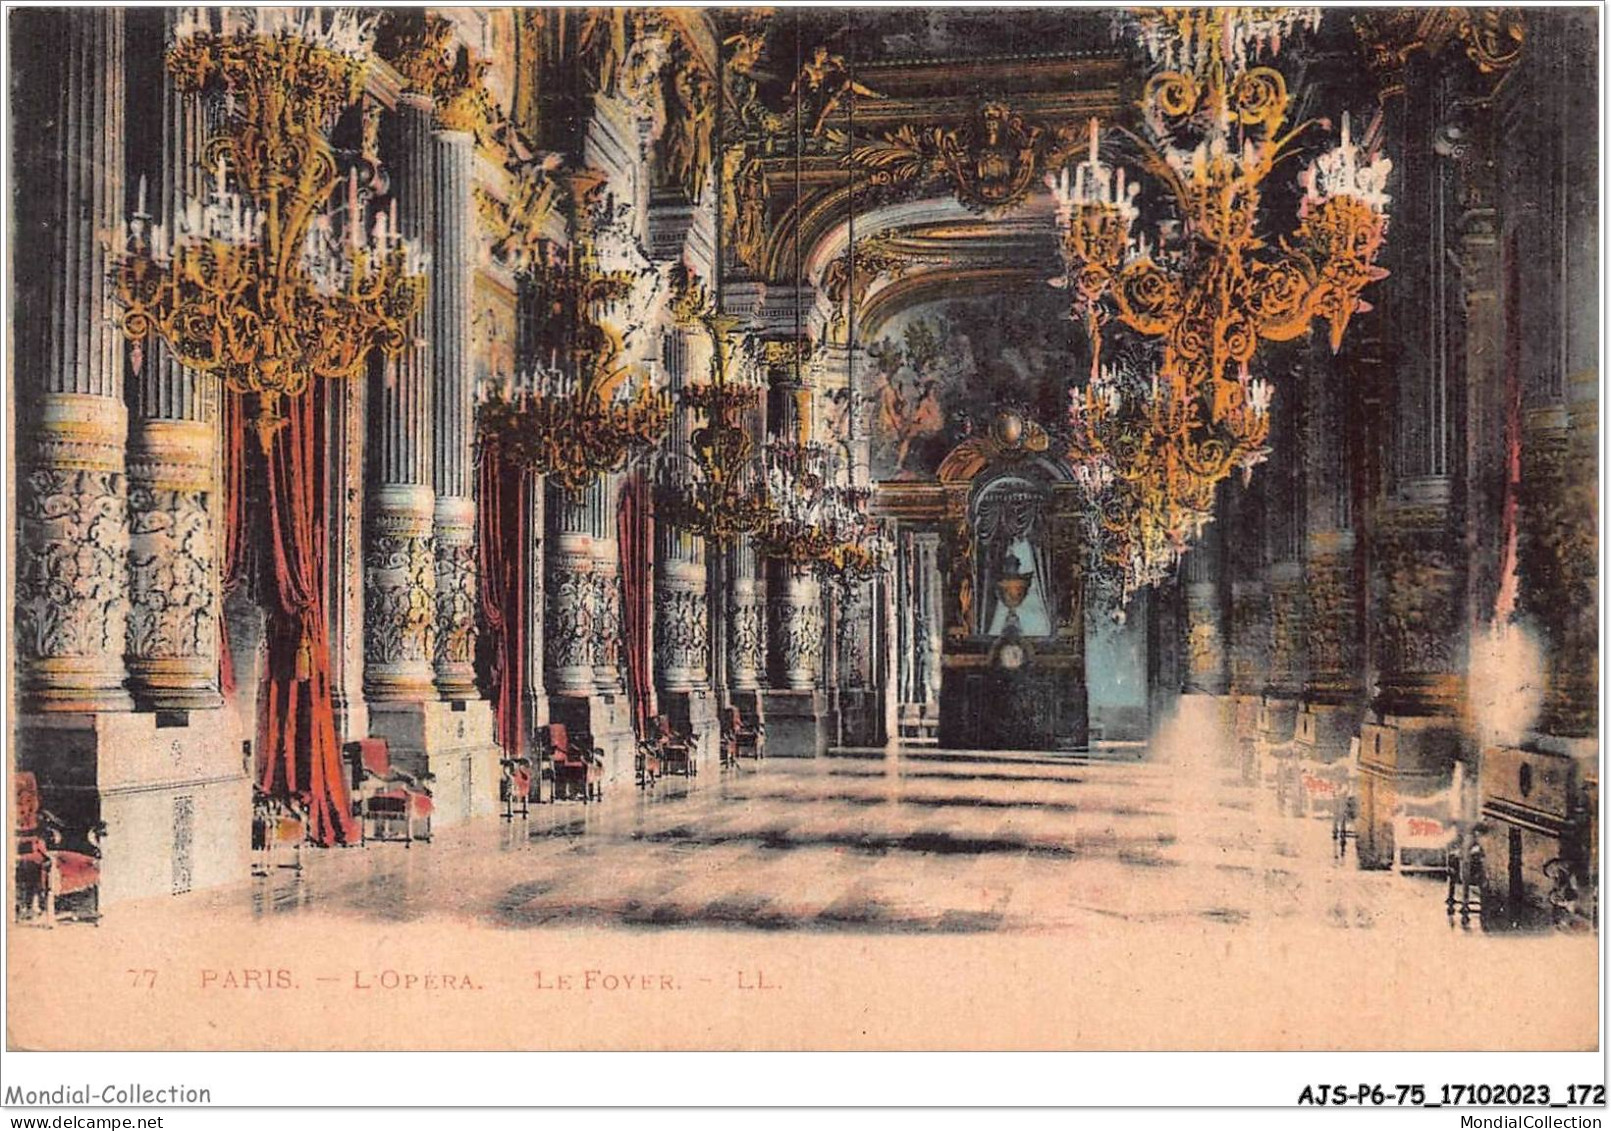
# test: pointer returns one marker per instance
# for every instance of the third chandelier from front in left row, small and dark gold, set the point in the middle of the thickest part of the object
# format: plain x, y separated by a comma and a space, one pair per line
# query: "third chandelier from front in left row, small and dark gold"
718, 491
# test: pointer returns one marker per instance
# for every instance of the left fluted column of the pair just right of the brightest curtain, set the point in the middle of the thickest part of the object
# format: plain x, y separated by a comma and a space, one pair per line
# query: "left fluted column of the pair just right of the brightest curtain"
400, 563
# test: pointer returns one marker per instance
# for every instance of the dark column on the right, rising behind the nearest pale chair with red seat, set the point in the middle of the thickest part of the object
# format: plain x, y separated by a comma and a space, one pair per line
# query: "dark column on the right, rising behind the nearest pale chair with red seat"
1420, 621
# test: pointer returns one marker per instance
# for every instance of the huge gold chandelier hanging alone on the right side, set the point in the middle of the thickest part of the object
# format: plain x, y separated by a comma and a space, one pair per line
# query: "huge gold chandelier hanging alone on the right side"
1212, 289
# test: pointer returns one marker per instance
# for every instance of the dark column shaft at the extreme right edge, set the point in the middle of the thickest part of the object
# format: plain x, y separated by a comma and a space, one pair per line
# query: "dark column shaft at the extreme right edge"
1551, 278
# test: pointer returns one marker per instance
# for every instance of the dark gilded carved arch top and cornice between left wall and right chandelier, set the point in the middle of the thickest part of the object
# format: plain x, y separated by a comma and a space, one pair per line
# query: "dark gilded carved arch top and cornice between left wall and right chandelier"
927, 133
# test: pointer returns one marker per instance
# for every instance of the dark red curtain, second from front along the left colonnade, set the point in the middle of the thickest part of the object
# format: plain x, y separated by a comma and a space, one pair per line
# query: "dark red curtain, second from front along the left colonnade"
503, 508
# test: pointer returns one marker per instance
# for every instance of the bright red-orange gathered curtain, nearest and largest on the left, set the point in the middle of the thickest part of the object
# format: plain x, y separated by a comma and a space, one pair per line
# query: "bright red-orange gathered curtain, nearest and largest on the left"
297, 748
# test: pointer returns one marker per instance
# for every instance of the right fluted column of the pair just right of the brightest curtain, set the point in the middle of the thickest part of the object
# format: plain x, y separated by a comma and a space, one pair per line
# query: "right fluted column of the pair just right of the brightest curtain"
452, 283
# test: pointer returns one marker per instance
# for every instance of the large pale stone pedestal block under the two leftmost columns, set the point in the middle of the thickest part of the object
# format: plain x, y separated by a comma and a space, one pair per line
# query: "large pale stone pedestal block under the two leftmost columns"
175, 792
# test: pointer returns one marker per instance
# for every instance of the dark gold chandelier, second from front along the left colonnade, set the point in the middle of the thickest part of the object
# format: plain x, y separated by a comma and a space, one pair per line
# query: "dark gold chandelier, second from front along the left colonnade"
586, 413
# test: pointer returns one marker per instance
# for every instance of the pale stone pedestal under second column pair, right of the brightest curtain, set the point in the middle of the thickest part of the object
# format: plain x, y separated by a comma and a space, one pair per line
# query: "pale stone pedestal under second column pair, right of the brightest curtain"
453, 742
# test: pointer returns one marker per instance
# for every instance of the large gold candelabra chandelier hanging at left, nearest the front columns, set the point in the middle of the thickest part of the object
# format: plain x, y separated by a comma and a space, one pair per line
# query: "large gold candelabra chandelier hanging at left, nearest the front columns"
270, 283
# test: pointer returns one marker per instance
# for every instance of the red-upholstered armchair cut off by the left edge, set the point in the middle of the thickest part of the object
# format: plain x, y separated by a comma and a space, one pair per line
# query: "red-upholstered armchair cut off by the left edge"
48, 872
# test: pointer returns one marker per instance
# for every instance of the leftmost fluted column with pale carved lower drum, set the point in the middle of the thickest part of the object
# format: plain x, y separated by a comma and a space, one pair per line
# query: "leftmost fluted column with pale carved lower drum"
73, 524
